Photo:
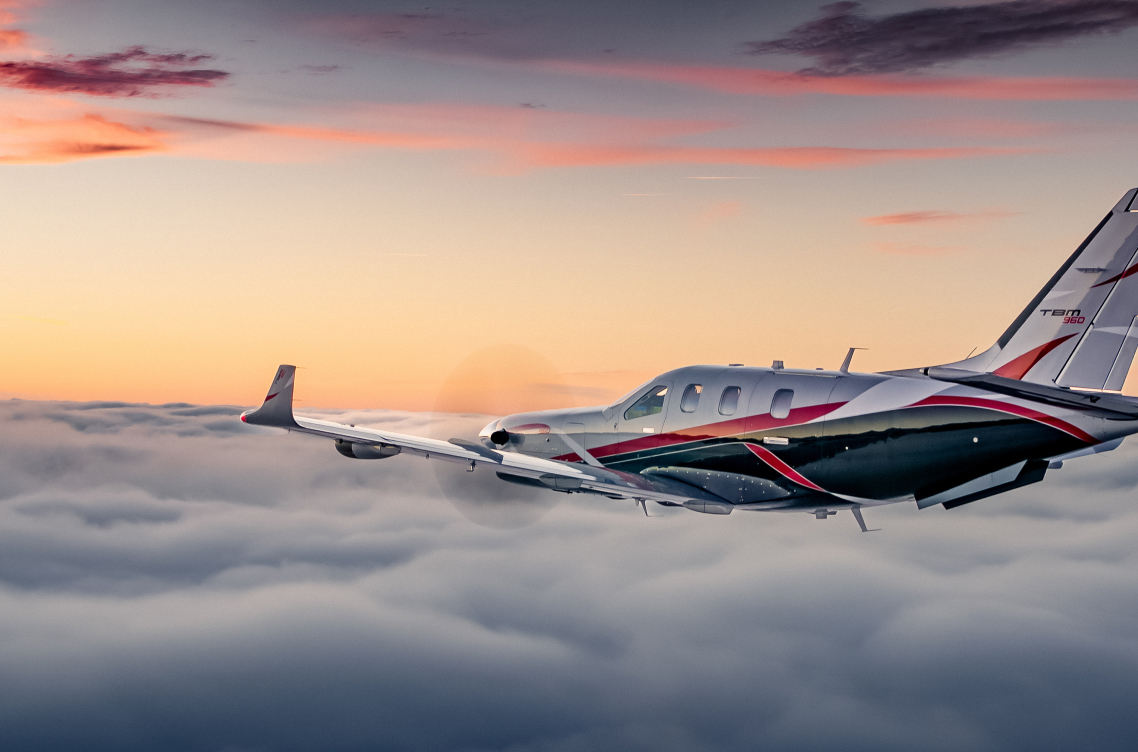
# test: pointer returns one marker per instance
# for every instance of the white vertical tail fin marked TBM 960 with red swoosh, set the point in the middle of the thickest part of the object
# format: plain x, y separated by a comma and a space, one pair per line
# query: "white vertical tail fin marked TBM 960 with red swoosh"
1081, 330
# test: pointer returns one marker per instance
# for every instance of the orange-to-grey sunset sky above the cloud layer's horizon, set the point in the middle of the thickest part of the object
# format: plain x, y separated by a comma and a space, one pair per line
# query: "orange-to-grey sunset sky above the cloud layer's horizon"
196, 193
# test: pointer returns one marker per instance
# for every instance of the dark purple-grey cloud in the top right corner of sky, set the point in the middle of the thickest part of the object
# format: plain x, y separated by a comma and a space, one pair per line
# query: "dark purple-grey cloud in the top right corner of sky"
845, 43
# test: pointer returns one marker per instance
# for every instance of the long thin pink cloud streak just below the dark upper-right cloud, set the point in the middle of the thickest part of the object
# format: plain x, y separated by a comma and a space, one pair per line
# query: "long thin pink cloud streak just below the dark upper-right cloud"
764, 82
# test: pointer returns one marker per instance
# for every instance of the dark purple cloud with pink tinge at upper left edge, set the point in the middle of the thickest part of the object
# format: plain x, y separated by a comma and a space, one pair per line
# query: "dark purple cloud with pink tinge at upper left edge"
134, 72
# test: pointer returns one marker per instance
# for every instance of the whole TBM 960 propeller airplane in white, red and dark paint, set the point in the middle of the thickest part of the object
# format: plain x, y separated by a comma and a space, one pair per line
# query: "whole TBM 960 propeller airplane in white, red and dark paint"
720, 439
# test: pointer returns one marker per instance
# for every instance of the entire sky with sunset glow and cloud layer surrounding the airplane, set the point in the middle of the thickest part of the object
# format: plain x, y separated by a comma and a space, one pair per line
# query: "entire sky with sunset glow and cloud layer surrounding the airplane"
493, 206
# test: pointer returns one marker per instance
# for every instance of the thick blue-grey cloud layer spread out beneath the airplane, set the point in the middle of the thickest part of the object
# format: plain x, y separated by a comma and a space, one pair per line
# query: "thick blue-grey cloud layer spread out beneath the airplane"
172, 580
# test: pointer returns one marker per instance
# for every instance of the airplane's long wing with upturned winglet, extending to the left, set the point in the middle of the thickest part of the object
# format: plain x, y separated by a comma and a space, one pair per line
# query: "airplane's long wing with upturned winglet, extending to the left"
277, 412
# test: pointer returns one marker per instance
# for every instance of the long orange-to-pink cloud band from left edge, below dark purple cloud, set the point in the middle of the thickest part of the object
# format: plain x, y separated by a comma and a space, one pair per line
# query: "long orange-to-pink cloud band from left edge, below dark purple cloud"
516, 141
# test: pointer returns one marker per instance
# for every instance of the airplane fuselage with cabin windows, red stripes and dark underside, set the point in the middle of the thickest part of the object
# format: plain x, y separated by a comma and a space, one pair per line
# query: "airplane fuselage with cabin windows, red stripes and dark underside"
868, 439
